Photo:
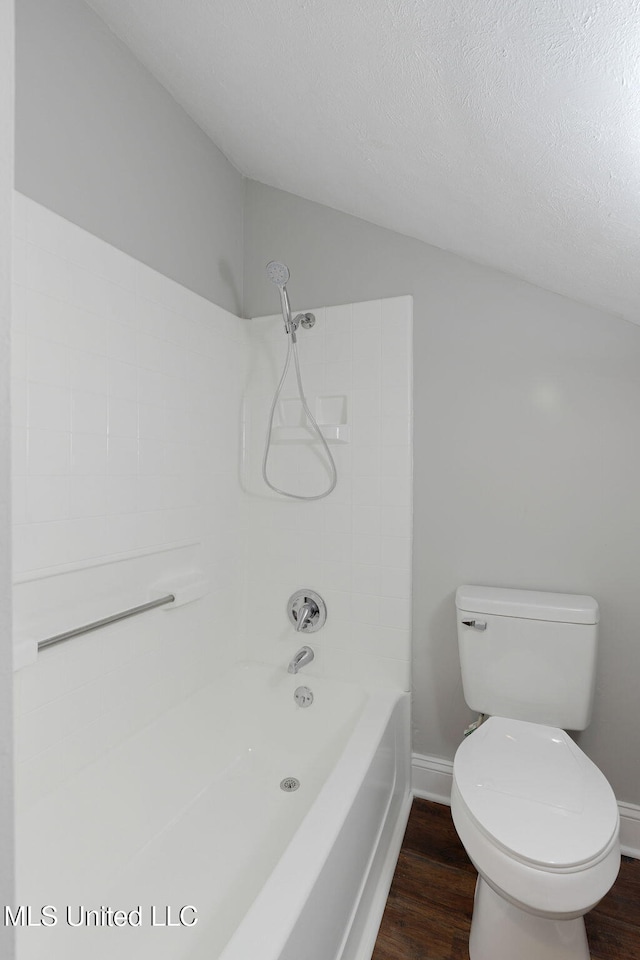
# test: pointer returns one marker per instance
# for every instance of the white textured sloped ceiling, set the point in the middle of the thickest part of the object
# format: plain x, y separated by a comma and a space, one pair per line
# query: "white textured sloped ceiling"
504, 130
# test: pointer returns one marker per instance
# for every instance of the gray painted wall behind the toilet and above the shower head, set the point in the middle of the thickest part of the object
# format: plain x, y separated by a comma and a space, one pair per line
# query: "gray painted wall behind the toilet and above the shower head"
526, 455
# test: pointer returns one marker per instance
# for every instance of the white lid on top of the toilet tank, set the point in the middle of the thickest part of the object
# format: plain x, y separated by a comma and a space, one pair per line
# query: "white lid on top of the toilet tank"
528, 604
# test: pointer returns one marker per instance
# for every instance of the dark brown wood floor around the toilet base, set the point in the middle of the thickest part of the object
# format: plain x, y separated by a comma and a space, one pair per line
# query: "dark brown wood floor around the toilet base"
428, 912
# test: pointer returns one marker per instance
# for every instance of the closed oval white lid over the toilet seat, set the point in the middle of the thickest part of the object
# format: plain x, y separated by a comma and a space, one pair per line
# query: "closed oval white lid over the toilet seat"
536, 794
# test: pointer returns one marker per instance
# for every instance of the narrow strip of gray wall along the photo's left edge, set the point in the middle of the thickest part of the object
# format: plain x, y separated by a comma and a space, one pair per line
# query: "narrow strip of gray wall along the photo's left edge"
6, 675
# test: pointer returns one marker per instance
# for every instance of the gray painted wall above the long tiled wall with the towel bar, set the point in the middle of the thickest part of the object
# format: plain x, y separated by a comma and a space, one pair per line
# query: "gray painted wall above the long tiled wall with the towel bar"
99, 141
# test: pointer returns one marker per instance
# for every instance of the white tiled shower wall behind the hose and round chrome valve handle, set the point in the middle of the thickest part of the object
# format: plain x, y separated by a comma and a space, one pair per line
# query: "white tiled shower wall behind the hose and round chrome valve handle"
354, 547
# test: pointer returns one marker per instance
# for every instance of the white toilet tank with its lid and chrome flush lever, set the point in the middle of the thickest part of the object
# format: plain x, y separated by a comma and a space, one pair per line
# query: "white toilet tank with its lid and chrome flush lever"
528, 655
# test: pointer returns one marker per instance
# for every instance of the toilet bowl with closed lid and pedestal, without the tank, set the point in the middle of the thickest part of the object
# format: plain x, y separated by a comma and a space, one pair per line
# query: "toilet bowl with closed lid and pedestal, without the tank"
540, 823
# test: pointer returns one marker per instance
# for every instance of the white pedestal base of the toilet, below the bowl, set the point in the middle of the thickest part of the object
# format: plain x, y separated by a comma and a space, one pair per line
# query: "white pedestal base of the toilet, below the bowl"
501, 931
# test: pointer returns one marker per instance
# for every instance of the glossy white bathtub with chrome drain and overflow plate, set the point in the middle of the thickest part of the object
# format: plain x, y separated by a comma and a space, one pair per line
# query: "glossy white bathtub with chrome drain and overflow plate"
190, 813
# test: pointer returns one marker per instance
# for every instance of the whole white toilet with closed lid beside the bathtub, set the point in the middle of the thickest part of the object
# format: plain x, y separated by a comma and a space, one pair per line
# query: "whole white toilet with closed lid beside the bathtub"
537, 818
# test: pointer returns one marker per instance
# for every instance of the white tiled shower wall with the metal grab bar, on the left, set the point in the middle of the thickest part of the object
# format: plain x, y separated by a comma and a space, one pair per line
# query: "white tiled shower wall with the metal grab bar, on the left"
126, 418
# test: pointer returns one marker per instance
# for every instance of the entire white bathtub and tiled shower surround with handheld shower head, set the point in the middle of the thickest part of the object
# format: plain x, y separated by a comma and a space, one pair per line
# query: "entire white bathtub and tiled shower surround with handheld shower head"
185, 791
